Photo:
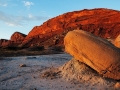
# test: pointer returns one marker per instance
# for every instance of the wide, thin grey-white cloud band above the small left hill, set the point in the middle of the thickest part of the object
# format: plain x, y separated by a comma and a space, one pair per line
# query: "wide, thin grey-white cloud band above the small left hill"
12, 20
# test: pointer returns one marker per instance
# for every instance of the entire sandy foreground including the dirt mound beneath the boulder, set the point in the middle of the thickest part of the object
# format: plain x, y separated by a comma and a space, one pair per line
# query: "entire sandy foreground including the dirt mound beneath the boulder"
44, 73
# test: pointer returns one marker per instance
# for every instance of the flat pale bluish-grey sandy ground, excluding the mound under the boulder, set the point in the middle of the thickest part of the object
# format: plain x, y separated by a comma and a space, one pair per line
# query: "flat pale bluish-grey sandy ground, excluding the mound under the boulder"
34, 75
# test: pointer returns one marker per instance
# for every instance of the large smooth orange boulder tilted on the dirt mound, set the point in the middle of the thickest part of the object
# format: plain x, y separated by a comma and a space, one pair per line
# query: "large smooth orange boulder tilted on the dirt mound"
94, 51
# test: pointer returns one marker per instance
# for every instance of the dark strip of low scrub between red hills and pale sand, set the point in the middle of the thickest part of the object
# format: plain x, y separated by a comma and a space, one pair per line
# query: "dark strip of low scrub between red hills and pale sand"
7, 52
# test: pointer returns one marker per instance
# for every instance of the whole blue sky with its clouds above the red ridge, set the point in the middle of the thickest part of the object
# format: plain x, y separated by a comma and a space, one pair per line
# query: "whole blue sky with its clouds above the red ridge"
23, 15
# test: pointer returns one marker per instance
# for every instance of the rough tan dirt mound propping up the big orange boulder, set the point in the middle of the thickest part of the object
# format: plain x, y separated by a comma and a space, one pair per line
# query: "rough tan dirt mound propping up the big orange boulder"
78, 72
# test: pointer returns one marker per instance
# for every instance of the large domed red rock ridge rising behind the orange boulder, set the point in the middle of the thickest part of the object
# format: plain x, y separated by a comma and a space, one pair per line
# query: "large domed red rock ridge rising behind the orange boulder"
101, 22
